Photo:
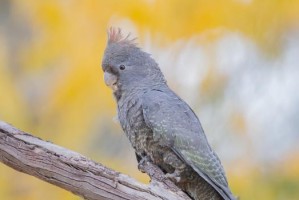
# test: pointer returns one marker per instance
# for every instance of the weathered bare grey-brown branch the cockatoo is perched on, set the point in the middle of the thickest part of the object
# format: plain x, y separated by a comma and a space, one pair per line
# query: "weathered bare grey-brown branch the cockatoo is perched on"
78, 174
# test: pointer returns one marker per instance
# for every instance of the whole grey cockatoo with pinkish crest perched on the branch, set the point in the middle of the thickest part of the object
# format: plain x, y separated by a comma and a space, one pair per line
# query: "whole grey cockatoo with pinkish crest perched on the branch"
160, 125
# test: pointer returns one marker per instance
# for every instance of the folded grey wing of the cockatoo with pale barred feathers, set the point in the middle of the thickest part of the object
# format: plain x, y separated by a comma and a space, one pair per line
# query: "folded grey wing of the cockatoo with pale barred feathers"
175, 125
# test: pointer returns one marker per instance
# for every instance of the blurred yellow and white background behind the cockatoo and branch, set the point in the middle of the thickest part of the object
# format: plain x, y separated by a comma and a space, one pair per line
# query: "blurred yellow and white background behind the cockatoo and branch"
234, 61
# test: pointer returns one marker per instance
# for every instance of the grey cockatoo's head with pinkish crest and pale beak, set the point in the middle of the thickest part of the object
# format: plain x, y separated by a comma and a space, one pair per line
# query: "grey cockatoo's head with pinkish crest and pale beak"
126, 67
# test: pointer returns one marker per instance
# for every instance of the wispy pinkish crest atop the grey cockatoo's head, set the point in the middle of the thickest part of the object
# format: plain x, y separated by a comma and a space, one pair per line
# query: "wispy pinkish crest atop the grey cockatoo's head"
115, 36
